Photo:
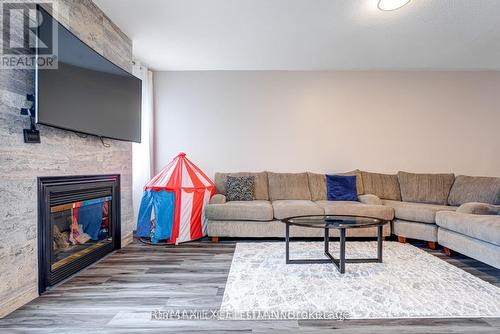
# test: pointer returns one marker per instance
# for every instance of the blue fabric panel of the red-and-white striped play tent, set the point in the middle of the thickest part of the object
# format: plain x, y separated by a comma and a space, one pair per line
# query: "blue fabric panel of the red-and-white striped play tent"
163, 203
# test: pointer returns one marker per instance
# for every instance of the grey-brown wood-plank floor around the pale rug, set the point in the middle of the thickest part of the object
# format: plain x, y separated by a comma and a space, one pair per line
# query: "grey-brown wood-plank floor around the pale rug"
117, 295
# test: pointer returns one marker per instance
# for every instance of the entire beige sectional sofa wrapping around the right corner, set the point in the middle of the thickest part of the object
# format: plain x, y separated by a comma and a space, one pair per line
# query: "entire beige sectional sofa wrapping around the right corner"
437, 208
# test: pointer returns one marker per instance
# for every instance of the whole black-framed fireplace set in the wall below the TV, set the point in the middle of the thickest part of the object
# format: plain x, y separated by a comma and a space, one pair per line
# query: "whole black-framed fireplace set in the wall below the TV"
78, 223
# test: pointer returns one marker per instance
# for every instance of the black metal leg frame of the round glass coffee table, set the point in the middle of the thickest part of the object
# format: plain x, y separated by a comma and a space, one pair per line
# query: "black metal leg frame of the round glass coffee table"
339, 263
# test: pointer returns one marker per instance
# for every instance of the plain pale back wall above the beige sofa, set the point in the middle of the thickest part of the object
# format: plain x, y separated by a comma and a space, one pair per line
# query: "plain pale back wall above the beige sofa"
330, 121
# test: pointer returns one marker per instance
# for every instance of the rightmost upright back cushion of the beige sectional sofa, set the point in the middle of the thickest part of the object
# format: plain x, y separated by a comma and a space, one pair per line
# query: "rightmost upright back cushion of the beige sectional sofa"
475, 189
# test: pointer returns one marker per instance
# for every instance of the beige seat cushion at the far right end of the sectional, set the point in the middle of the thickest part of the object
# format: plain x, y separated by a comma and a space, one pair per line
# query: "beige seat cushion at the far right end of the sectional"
482, 227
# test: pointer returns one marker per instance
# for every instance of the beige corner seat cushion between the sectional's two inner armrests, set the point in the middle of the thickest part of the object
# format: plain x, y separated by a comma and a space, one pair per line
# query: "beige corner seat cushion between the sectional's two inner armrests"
417, 212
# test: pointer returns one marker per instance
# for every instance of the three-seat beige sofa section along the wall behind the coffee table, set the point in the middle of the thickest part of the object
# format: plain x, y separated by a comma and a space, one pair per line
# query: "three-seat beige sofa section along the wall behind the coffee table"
281, 195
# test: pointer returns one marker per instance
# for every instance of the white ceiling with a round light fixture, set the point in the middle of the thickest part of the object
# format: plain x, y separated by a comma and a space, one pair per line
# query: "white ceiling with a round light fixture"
309, 34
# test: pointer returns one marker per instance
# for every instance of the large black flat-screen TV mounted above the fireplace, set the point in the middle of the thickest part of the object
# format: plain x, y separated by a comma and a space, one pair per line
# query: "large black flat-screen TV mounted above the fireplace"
86, 93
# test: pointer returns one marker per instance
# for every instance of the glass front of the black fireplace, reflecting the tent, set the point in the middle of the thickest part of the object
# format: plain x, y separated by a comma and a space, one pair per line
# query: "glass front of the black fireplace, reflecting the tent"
79, 228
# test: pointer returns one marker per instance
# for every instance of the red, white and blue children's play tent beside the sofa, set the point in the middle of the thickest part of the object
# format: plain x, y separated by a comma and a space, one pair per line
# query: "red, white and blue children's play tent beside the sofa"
178, 196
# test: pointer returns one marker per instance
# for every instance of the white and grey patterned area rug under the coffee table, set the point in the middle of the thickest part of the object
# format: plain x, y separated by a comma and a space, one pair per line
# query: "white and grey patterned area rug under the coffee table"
410, 283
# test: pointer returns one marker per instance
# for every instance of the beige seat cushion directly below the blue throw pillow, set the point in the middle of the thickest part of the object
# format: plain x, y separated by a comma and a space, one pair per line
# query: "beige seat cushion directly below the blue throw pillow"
347, 208
